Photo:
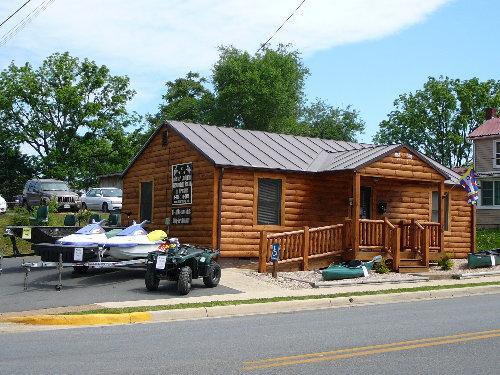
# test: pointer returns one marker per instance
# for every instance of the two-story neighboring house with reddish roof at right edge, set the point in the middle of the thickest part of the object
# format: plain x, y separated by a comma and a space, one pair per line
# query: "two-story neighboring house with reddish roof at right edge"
486, 143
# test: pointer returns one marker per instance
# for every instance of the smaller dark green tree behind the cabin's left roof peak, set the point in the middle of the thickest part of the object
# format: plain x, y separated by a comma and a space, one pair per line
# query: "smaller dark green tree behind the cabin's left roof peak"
186, 99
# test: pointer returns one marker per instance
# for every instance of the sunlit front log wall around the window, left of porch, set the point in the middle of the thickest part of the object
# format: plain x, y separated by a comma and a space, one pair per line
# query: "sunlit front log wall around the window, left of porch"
309, 200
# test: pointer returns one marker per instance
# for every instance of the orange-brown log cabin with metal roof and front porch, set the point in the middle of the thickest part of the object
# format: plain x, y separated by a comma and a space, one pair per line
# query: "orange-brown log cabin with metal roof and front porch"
241, 191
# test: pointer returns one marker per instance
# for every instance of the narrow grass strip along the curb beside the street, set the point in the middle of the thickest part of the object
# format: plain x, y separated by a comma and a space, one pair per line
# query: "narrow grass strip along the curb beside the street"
277, 299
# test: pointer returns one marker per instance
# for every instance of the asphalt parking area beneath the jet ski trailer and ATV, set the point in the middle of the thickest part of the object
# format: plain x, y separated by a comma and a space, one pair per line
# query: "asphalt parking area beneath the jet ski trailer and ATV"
93, 287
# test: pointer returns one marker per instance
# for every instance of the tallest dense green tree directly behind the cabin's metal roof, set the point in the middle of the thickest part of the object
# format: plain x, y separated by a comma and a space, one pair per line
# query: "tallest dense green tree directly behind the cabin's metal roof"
260, 92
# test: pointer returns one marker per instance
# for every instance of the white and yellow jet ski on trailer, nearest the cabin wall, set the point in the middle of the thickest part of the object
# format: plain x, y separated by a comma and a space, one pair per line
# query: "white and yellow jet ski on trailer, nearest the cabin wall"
134, 242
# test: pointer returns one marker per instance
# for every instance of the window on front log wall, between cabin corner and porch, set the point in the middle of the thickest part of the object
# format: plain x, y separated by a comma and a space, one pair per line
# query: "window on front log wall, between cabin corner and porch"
269, 202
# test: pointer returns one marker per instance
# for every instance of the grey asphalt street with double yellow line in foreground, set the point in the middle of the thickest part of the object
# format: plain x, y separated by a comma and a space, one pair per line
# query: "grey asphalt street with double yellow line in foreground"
222, 346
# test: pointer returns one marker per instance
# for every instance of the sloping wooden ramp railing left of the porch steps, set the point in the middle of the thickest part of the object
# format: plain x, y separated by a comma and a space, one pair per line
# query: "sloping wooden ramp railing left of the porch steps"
301, 245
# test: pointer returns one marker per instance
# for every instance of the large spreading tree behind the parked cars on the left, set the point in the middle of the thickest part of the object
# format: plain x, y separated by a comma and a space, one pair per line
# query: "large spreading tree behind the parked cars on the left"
64, 106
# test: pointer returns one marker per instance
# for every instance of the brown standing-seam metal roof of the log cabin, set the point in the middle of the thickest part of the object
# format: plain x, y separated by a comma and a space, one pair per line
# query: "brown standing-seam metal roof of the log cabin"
230, 147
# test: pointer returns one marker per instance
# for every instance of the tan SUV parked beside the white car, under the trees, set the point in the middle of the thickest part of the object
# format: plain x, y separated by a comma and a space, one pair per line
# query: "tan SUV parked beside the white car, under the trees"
40, 191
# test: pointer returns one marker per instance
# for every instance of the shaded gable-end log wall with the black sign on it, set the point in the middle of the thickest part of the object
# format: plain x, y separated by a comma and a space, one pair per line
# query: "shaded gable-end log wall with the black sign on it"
154, 164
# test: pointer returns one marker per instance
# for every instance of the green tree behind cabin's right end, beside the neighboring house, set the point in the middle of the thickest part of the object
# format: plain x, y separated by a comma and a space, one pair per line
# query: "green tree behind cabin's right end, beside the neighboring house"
437, 119
